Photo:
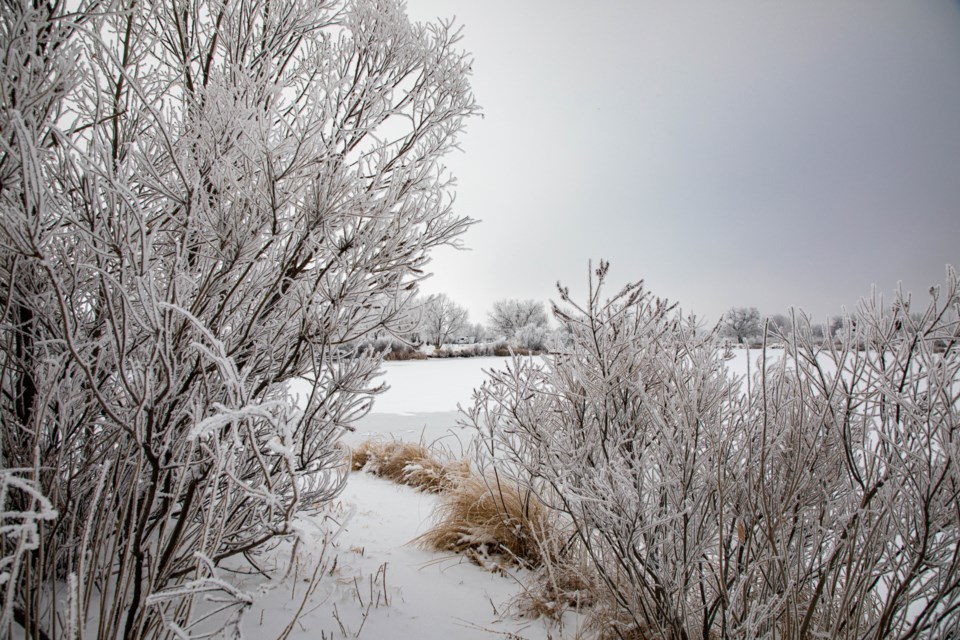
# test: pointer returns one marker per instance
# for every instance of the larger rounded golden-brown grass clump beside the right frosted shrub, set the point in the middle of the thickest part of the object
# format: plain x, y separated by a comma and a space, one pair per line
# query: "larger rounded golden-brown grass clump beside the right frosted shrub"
481, 516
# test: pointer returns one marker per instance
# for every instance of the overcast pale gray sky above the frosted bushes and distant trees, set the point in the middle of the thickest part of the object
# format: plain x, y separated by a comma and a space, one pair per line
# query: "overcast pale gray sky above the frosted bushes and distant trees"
764, 154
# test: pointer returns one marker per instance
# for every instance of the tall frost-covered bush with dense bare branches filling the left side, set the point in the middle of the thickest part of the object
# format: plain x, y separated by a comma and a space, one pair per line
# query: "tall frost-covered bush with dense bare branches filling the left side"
201, 200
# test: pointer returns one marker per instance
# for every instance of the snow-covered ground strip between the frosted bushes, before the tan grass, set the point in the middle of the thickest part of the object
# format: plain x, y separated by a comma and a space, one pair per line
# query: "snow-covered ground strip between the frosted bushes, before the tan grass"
427, 596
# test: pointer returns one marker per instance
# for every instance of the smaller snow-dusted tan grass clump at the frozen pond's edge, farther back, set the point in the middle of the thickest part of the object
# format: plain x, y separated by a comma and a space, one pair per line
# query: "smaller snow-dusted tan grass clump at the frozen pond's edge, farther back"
408, 463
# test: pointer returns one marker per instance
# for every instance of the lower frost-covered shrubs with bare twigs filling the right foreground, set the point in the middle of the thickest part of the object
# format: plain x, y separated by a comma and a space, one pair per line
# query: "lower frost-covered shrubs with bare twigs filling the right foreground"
819, 500
